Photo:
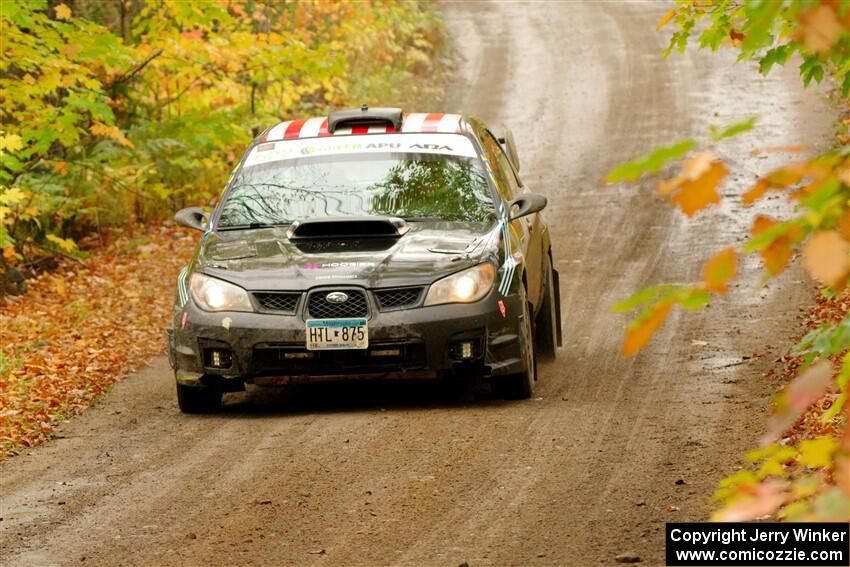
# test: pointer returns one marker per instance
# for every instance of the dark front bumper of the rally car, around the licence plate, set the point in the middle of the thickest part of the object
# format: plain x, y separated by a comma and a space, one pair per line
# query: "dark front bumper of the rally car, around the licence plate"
416, 343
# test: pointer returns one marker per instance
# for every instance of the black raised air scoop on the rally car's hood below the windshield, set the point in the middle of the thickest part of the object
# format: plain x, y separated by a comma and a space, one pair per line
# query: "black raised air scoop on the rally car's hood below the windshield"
345, 228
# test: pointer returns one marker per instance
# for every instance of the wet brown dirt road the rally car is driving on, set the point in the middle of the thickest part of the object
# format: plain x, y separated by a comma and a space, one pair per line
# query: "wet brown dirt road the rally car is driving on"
362, 475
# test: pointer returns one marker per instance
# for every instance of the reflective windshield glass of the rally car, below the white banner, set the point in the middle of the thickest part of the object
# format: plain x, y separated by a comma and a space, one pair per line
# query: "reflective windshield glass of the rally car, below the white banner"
408, 185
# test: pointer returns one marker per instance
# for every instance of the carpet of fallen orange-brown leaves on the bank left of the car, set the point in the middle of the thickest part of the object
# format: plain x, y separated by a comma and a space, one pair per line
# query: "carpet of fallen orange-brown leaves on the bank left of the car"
81, 328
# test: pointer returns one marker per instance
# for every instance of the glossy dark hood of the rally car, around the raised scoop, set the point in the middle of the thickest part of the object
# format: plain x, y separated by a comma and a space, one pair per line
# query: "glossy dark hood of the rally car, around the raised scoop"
265, 259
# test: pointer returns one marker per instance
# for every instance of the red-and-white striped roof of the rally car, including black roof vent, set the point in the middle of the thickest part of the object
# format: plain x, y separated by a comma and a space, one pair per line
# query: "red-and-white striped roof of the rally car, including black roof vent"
422, 122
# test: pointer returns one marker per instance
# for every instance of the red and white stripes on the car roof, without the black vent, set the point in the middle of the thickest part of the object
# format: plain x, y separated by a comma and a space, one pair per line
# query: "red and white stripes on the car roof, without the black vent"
318, 127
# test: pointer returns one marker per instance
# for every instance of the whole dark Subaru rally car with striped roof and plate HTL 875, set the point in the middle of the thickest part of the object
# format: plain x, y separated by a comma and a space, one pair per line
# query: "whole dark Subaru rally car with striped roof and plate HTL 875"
371, 244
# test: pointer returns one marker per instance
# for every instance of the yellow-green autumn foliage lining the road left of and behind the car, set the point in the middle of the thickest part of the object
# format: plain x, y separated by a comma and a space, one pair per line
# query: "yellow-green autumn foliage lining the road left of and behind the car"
146, 119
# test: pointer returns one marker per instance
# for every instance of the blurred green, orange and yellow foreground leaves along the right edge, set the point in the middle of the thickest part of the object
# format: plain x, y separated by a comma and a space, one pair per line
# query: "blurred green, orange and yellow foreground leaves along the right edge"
807, 480
